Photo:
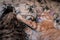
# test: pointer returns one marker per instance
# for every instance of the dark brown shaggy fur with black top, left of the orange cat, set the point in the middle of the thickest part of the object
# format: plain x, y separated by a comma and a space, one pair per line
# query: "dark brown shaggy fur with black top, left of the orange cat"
10, 27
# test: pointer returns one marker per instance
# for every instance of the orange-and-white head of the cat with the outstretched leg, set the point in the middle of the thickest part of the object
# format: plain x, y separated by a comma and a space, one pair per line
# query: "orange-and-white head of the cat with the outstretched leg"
46, 15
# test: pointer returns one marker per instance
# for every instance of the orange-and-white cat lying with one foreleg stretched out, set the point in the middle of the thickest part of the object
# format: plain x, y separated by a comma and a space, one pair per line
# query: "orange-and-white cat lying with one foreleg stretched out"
44, 30
